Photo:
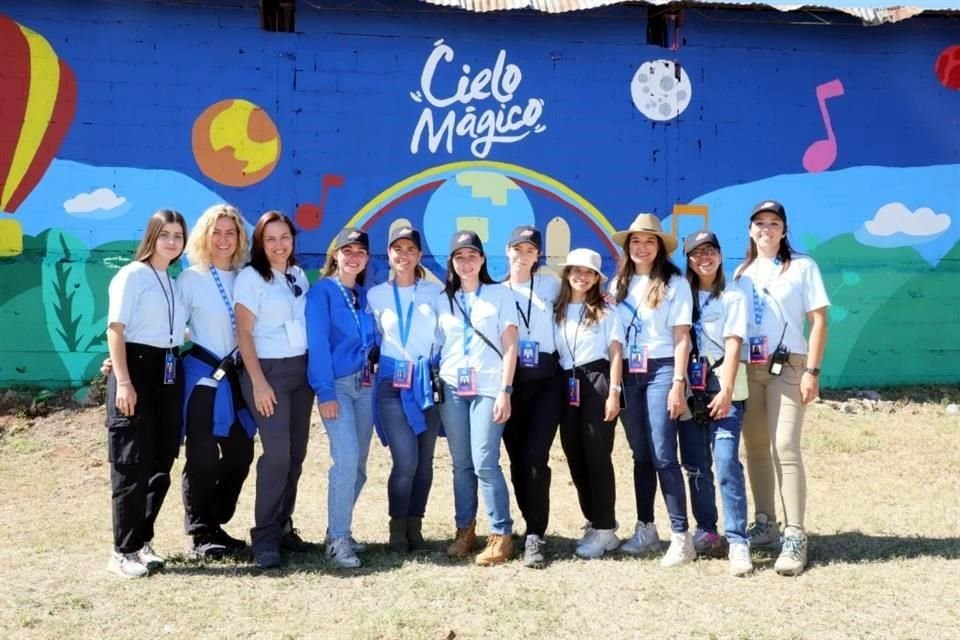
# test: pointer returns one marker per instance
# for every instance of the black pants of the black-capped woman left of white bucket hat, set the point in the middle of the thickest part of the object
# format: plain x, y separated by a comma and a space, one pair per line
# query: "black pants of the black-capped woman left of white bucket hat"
536, 408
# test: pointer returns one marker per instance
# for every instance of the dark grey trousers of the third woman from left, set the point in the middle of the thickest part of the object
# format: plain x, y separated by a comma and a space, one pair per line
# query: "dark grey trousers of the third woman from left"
284, 438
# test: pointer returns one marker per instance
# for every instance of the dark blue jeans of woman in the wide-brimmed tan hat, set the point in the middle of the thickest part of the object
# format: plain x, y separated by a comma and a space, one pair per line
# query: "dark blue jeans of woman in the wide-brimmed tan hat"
652, 435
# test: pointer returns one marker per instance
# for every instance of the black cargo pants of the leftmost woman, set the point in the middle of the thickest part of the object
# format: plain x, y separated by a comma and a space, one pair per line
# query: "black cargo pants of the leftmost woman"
141, 448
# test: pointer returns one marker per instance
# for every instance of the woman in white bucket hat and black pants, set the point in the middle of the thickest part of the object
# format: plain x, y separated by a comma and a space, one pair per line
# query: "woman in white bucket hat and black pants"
589, 342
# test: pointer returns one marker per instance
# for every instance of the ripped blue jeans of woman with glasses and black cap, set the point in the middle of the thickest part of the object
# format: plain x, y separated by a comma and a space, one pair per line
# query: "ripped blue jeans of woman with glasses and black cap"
700, 446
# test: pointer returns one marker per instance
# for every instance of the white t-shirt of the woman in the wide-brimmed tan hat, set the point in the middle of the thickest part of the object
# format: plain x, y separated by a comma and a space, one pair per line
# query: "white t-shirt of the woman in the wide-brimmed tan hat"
653, 328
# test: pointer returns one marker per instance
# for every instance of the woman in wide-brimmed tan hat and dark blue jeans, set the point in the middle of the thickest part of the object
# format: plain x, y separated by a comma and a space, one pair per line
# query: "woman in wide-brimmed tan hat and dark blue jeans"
654, 304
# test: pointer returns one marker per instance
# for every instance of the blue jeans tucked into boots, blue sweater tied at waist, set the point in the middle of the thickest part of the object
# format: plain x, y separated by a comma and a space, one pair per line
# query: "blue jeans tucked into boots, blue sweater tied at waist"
412, 473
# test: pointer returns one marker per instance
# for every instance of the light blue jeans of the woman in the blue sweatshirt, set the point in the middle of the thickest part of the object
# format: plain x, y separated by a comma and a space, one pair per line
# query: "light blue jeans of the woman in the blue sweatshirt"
349, 434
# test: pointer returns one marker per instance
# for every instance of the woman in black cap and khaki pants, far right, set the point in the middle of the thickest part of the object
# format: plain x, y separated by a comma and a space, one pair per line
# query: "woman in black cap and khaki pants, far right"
783, 371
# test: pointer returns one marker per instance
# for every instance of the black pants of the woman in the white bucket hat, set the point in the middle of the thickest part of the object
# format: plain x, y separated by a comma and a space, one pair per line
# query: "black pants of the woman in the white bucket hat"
588, 444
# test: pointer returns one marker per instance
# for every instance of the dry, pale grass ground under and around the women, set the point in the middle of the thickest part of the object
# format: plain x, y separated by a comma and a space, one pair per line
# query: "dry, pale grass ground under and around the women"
883, 514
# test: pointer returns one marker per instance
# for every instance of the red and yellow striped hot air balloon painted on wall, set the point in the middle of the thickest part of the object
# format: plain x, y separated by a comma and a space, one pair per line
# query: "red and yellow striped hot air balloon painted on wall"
38, 99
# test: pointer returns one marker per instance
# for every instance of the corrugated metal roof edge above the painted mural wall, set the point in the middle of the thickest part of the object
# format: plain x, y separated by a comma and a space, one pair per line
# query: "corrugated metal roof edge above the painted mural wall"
870, 11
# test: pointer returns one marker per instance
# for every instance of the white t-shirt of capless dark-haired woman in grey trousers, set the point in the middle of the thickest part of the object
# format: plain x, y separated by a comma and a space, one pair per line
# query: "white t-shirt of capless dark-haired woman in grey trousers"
274, 304
